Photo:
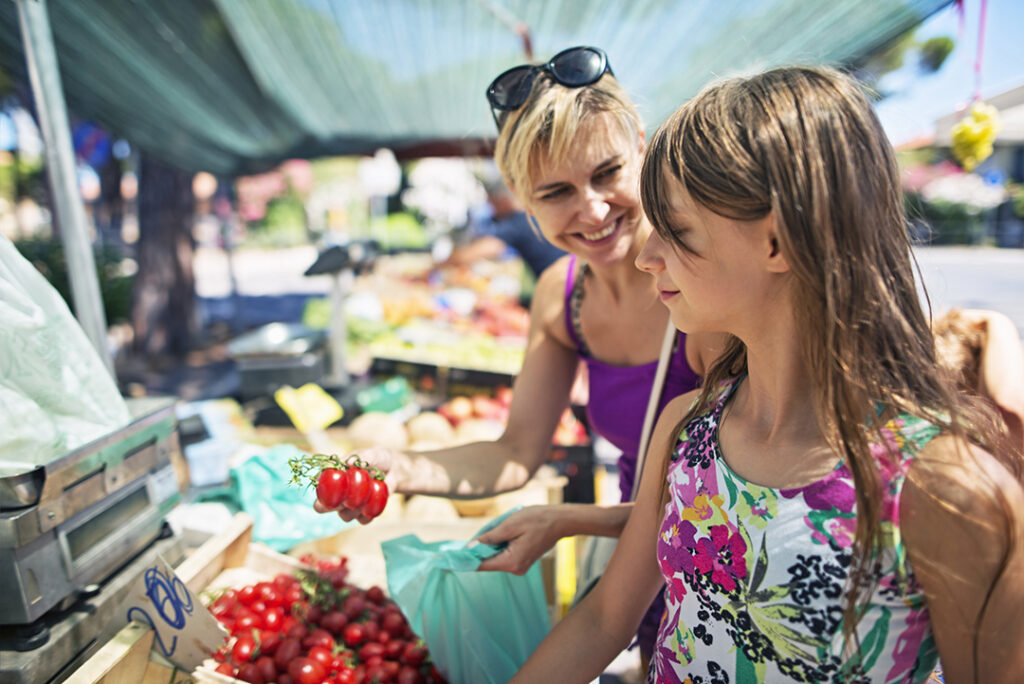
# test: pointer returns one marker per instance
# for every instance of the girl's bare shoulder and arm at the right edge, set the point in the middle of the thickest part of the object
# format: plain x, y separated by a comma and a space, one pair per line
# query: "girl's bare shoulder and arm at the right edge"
963, 519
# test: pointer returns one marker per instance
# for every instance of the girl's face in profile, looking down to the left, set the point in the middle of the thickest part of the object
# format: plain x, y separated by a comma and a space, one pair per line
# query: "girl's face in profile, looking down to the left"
715, 276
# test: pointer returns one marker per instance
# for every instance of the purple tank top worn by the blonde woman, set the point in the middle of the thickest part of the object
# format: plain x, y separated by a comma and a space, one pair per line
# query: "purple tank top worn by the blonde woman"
619, 394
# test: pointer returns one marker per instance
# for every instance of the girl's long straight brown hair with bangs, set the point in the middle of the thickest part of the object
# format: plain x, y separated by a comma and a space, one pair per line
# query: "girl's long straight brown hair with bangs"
805, 145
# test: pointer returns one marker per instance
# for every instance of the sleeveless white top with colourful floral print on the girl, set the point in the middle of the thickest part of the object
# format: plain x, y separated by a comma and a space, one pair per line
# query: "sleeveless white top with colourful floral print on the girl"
755, 576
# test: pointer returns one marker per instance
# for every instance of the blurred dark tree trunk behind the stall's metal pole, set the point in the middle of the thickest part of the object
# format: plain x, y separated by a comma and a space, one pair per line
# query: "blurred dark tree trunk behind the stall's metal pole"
164, 297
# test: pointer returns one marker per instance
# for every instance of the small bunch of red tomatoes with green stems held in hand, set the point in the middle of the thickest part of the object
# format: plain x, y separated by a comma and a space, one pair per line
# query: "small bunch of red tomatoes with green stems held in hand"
351, 484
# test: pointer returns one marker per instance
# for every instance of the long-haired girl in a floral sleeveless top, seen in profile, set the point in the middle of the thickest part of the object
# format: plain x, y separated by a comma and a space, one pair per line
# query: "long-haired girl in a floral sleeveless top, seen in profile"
829, 508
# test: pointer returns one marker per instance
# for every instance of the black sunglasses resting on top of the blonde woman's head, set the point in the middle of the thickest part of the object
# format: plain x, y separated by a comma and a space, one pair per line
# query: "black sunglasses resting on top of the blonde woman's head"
573, 68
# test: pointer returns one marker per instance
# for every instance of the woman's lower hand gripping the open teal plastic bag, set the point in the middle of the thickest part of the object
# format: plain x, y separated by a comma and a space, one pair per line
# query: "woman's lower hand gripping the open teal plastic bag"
530, 534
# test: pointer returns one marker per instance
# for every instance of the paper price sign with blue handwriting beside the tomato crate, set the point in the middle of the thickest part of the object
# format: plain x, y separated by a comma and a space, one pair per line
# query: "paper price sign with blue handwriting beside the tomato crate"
187, 632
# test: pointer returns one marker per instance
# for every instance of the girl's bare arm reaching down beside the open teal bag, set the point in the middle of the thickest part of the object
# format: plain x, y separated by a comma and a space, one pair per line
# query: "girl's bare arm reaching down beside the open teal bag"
603, 625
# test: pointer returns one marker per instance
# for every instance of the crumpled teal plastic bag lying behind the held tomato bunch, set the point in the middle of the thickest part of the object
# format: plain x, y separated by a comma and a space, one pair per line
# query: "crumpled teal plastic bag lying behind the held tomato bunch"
283, 514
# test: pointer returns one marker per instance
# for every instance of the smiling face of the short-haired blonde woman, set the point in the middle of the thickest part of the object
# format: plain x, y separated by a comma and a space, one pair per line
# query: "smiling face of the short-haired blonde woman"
589, 204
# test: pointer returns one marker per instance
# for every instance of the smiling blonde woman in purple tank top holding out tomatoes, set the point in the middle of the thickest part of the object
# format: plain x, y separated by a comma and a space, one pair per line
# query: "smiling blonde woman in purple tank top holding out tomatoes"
570, 146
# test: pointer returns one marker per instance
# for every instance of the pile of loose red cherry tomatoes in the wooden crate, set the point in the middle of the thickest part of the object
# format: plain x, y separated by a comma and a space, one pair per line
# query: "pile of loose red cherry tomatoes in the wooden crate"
315, 628
